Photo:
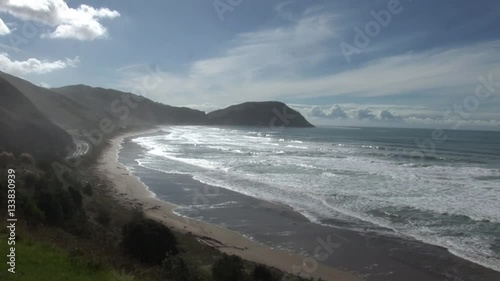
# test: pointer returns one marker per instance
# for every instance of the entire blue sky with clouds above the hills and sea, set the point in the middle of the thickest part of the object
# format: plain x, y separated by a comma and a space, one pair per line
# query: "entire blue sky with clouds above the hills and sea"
391, 63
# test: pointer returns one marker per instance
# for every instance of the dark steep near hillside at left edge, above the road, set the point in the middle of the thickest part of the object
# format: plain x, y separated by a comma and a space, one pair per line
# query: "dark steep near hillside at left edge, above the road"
25, 129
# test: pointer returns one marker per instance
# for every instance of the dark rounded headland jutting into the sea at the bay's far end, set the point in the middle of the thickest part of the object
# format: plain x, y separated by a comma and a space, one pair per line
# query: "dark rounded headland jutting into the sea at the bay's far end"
271, 113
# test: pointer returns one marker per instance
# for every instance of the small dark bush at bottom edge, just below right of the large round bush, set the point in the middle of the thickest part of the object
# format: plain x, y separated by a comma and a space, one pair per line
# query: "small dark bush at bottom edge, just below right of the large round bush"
177, 268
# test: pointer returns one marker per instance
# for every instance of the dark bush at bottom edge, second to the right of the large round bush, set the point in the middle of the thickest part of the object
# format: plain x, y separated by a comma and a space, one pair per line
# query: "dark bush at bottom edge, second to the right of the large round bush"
228, 268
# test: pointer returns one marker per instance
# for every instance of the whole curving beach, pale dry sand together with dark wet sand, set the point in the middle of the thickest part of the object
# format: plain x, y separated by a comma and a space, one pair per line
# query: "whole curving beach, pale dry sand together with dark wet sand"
218, 216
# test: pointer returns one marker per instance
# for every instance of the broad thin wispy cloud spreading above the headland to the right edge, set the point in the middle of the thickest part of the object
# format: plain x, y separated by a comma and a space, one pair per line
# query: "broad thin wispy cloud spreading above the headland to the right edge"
279, 63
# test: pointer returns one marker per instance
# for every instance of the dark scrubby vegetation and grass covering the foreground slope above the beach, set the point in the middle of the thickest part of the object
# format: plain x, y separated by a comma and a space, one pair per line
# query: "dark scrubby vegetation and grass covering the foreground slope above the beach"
79, 232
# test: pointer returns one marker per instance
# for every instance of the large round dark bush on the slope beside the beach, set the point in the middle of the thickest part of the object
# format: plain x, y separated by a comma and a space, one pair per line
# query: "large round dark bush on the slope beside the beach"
148, 241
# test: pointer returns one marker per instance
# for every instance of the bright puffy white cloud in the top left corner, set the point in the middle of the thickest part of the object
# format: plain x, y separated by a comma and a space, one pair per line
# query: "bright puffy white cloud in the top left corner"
82, 23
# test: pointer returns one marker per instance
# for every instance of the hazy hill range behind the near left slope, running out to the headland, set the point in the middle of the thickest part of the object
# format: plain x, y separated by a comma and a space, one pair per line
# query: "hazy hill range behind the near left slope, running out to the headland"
78, 107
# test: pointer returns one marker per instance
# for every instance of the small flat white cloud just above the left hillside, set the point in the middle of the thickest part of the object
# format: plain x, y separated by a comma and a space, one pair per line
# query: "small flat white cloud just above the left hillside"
33, 65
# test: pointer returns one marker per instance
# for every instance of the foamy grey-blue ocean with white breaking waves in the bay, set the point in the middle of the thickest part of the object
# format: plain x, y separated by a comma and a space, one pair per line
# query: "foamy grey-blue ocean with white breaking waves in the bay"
439, 187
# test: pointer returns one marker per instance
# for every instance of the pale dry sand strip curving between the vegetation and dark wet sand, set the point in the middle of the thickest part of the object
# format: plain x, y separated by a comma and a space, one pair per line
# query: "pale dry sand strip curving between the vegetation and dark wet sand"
129, 191
